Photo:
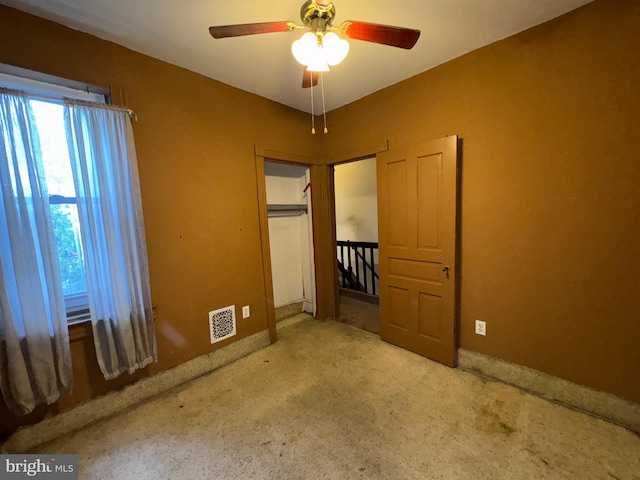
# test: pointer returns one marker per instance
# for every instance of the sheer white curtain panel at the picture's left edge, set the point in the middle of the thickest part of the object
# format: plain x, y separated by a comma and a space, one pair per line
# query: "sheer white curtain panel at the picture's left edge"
35, 359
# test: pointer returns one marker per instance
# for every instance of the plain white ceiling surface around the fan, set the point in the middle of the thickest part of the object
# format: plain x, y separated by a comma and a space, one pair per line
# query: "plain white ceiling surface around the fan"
176, 31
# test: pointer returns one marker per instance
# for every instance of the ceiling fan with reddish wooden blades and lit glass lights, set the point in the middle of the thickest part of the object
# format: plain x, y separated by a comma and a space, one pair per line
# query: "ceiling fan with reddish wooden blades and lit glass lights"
323, 45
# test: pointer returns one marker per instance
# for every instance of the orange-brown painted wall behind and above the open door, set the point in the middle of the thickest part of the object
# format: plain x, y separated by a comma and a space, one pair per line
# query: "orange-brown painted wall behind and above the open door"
550, 123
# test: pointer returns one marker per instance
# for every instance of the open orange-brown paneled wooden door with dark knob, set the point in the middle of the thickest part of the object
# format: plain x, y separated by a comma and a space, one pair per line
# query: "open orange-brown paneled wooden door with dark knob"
417, 205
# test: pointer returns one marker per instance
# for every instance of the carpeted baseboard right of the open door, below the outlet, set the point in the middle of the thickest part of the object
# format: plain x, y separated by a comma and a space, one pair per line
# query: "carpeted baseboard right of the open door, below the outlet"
600, 404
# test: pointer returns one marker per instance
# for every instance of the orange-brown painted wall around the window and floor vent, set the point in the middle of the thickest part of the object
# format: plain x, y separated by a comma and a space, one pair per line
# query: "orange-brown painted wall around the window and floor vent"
195, 141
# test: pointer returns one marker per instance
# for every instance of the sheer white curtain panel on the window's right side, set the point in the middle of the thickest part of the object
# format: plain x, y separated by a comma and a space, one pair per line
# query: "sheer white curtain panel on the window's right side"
105, 173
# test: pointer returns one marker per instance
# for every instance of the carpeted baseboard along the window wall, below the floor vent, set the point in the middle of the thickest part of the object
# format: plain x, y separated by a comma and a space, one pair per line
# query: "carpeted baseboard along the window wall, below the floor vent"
29, 437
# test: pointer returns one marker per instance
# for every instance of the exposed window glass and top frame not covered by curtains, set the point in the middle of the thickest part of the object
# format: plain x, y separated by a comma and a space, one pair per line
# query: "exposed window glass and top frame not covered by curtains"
48, 110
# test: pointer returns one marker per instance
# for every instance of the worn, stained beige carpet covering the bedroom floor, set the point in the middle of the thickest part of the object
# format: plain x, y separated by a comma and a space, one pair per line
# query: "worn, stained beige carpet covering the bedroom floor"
331, 401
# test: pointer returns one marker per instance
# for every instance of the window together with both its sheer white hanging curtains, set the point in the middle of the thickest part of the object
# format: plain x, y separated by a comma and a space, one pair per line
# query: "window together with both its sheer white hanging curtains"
70, 189
